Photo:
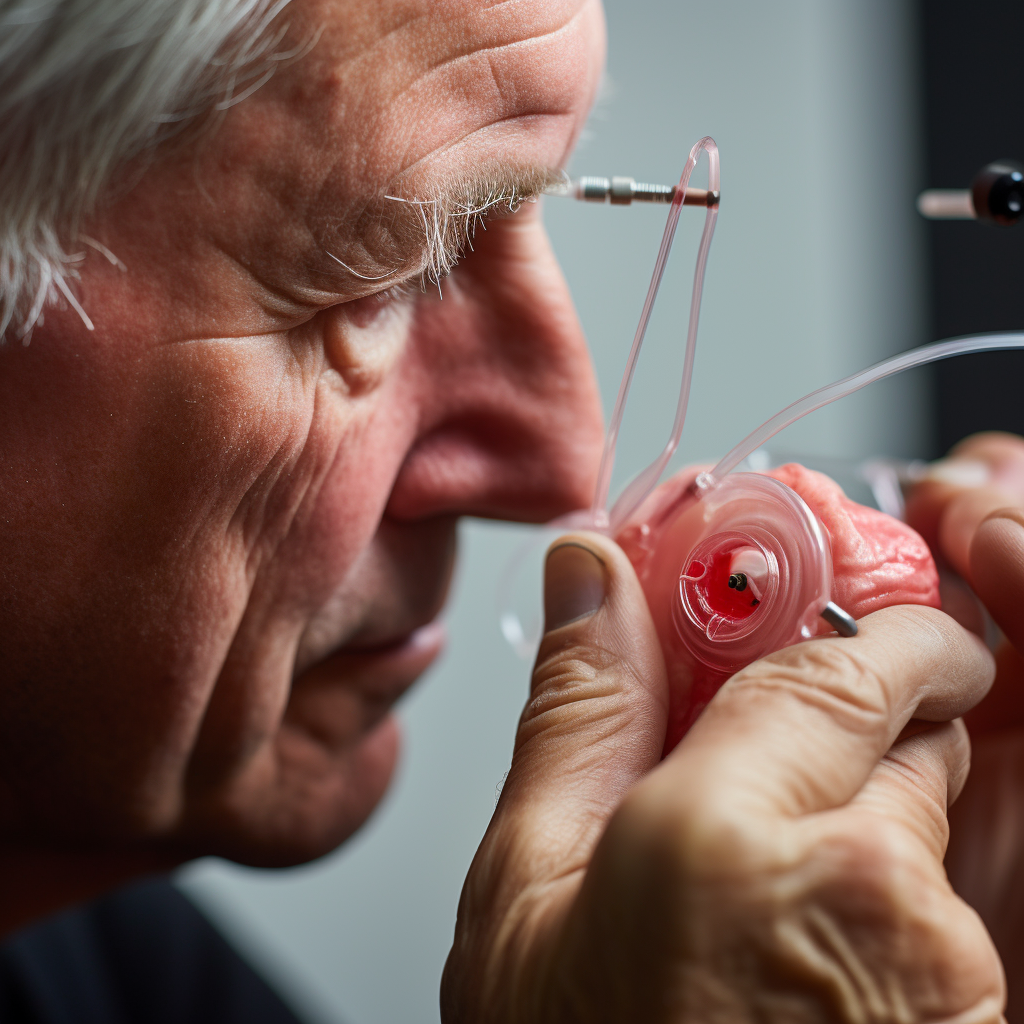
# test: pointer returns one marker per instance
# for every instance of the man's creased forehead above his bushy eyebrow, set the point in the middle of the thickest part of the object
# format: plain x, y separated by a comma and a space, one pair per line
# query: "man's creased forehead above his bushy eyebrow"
414, 93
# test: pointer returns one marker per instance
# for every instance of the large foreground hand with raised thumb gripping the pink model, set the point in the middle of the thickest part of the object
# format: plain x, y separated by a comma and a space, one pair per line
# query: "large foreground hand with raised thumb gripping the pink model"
785, 864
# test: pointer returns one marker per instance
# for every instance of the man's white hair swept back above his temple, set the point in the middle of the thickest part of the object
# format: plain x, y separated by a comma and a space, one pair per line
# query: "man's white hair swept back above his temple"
88, 86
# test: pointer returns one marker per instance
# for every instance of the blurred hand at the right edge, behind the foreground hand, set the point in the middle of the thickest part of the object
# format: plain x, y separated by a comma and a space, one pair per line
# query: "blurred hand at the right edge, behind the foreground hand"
972, 511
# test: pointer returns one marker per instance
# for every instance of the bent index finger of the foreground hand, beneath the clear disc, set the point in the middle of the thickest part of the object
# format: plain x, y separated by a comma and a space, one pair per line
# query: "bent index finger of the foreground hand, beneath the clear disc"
800, 732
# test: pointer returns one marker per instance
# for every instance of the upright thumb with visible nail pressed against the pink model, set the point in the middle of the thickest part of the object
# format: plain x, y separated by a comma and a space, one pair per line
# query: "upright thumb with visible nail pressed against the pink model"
596, 716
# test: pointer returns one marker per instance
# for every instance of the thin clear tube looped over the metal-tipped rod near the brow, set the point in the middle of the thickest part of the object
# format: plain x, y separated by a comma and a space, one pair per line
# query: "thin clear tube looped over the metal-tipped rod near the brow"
646, 482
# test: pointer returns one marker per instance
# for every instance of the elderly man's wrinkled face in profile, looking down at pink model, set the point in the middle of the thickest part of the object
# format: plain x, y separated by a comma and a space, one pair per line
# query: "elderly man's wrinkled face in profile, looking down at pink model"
230, 511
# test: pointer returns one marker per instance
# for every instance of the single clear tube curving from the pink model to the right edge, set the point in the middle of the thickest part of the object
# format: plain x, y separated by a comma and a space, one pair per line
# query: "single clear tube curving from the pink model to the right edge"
826, 396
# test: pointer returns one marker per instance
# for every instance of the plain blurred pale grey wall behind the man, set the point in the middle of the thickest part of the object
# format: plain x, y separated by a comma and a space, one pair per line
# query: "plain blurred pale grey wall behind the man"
816, 272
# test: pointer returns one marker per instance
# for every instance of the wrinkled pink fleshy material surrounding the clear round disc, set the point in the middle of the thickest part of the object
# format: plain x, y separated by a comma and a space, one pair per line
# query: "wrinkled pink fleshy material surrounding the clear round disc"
878, 562
